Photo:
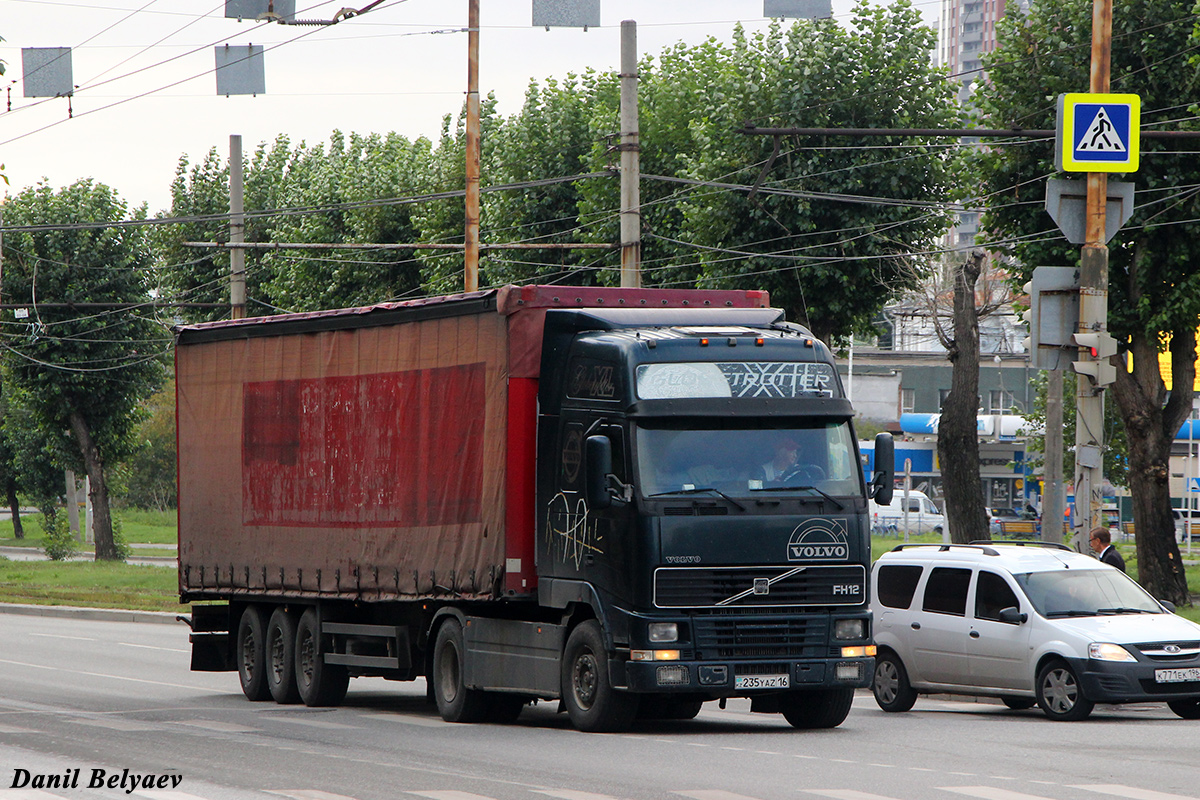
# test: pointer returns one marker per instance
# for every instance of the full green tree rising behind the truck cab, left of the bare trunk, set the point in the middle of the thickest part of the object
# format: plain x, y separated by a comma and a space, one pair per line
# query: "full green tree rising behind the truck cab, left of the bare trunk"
835, 225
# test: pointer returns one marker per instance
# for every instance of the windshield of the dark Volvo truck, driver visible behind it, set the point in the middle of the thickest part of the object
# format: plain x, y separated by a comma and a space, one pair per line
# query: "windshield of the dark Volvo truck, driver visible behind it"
737, 460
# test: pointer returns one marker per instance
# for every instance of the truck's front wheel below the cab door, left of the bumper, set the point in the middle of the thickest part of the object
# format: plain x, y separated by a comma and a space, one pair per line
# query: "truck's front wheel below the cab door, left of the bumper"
591, 700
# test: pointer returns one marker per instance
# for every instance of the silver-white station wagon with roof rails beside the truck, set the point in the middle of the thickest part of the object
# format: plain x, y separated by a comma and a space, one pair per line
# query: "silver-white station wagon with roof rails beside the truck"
1033, 624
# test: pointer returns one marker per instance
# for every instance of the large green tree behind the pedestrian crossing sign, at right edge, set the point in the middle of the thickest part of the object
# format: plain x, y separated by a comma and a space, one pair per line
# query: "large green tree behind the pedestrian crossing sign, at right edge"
1154, 286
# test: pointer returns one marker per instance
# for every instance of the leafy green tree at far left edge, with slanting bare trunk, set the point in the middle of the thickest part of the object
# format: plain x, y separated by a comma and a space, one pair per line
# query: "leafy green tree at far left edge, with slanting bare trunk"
82, 371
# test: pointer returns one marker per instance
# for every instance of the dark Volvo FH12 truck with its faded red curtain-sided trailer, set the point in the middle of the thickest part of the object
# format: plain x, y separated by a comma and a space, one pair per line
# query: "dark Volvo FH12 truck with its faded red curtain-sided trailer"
627, 501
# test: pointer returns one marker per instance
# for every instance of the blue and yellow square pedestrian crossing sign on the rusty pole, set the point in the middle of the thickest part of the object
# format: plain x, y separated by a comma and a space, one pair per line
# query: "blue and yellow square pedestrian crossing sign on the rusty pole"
1099, 134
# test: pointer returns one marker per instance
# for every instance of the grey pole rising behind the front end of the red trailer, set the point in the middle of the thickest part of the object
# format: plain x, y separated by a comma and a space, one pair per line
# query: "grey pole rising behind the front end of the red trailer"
631, 167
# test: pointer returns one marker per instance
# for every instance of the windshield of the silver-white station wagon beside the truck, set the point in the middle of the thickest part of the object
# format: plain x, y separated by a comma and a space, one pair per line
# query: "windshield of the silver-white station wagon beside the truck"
1087, 593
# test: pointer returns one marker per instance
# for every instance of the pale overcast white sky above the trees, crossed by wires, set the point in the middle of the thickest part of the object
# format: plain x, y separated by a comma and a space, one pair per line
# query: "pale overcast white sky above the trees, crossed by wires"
385, 71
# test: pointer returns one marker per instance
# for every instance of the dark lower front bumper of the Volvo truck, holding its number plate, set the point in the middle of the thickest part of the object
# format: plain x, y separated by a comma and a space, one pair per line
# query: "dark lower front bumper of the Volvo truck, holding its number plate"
747, 679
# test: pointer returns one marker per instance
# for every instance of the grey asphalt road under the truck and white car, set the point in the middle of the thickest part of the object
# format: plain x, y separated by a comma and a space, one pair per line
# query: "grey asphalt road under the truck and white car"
91, 695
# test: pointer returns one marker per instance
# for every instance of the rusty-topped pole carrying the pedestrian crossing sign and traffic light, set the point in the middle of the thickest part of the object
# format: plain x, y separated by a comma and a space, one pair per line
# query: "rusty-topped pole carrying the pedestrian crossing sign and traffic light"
1094, 308
